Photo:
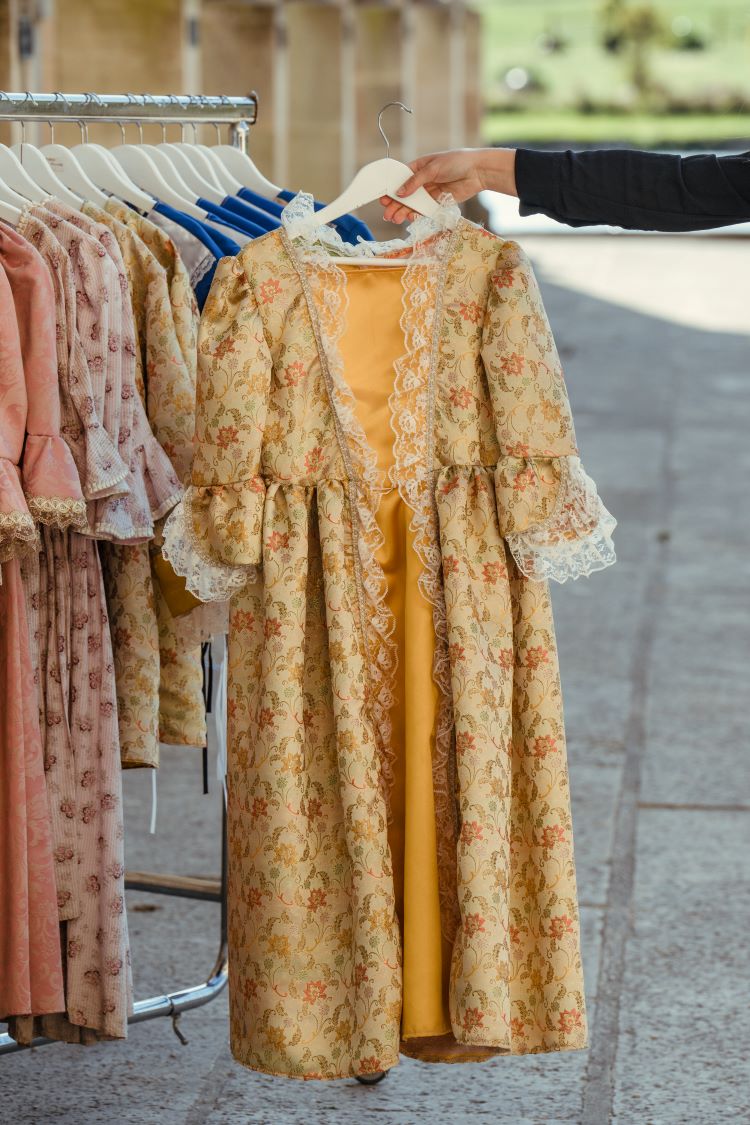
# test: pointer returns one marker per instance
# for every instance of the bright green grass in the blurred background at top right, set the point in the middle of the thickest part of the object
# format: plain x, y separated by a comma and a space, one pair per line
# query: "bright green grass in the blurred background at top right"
511, 39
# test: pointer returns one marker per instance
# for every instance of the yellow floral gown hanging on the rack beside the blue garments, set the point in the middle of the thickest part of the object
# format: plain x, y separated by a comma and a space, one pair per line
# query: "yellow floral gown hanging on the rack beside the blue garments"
159, 678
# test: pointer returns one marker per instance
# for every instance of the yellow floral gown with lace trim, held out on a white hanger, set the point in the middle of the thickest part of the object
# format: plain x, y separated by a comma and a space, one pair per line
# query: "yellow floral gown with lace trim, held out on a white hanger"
386, 476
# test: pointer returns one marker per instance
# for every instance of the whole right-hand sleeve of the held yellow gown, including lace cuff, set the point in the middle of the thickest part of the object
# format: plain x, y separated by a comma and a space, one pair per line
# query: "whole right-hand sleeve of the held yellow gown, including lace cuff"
549, 509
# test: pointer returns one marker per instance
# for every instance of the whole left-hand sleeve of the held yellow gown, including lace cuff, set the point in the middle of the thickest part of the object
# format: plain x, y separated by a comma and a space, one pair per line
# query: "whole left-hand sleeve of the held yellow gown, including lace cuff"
214, 537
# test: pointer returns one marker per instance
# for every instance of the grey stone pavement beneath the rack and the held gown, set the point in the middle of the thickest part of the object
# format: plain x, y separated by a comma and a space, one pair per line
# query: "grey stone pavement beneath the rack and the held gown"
655, 336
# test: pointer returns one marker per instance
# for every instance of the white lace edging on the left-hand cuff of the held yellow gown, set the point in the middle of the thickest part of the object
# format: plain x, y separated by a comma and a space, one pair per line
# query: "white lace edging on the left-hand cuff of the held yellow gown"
207, 580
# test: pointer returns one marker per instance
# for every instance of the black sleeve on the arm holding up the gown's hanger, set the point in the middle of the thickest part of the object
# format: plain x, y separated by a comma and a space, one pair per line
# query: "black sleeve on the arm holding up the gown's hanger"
636, 191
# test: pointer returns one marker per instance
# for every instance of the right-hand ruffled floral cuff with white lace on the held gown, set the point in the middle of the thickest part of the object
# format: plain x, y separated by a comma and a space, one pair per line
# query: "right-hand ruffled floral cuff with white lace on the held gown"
553, 518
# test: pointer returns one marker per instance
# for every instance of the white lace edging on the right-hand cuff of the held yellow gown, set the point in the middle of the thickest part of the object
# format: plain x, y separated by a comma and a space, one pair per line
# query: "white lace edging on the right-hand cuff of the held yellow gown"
575, 541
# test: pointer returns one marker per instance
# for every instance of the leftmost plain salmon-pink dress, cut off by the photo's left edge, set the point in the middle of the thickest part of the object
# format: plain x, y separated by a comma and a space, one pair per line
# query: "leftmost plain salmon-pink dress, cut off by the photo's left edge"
31, 965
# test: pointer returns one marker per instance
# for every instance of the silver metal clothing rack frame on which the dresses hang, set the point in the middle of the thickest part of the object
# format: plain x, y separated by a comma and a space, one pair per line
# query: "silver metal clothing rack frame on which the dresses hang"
194, 110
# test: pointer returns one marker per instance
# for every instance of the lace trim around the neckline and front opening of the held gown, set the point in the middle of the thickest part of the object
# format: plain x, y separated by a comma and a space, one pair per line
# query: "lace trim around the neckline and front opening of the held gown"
412, 404
